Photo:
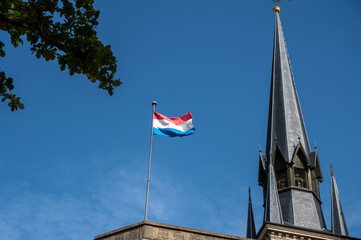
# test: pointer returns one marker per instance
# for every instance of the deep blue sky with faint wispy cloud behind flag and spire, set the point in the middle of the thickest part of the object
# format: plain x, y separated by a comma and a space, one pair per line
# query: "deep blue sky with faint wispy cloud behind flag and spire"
73, 164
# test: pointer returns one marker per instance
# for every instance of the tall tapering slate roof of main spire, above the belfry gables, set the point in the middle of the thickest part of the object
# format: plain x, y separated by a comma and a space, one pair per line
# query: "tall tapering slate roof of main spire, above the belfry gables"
285, 120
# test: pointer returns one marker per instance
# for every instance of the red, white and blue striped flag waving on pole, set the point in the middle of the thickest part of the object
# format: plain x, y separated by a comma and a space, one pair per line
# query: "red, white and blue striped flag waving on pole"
173, 127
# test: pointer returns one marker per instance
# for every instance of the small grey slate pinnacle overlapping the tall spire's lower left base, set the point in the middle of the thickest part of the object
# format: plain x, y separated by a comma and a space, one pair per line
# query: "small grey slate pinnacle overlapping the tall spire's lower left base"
273, 212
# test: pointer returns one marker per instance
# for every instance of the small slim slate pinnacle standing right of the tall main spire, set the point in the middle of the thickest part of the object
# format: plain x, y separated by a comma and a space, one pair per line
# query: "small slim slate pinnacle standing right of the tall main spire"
338, 222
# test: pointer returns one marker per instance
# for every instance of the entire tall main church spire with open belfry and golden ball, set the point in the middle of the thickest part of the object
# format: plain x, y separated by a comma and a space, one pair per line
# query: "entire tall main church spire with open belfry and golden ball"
289, 172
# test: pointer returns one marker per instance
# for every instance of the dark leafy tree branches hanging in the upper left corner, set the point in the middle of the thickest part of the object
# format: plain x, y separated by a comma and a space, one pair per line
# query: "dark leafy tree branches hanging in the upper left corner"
62, 30
